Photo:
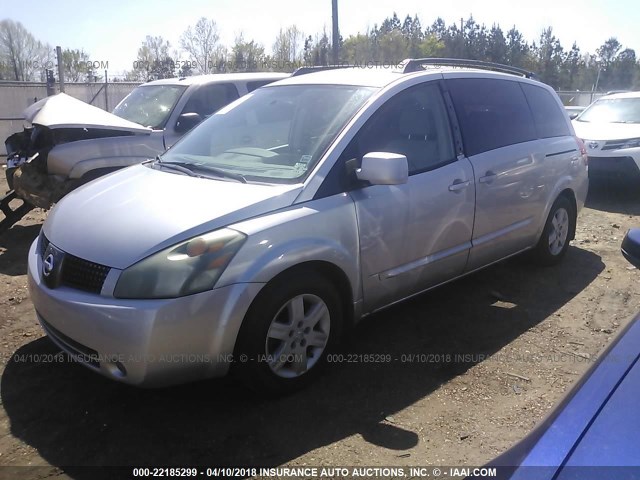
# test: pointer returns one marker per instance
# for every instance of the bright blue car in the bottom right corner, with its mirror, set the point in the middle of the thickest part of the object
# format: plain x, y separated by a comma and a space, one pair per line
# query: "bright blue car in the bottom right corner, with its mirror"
593, 431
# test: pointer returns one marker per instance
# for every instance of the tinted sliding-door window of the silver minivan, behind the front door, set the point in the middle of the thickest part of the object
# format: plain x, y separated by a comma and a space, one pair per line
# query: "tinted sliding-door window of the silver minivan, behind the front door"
492, 113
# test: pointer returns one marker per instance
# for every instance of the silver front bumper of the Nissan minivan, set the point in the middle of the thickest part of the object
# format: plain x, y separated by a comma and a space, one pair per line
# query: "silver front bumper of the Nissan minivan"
143, 342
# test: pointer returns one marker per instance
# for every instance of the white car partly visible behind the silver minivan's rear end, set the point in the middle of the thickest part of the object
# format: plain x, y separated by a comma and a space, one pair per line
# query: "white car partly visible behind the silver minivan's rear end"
610, 129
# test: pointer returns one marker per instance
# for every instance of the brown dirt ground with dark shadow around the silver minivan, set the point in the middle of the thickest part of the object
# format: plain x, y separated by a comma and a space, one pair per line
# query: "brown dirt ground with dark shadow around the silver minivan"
498, 350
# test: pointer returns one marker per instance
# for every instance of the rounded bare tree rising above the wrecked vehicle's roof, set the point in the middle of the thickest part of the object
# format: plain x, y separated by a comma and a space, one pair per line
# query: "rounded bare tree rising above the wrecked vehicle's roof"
201, 43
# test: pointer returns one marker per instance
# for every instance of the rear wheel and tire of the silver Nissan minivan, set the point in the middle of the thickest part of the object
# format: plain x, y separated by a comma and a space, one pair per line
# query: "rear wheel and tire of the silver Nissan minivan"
554, 241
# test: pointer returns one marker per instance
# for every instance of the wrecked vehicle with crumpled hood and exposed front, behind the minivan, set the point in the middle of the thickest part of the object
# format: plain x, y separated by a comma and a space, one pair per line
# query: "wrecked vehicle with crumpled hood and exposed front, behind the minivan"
69, 142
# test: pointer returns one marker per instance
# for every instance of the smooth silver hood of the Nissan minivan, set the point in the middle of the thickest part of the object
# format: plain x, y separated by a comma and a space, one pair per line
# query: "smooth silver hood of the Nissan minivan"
122, 218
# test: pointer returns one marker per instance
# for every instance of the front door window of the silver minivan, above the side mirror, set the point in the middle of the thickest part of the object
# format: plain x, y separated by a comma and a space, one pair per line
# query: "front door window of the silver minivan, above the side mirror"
414, 123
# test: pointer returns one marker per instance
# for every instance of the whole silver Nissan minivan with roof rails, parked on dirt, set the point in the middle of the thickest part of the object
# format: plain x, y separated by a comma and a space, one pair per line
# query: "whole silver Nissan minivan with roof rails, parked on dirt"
264, 234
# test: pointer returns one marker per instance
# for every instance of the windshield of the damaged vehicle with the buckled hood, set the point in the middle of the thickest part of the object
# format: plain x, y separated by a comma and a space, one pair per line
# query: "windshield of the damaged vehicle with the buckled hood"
150, 105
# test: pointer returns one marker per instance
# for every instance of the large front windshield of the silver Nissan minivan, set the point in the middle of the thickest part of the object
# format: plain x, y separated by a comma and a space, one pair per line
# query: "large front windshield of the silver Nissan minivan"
273, 135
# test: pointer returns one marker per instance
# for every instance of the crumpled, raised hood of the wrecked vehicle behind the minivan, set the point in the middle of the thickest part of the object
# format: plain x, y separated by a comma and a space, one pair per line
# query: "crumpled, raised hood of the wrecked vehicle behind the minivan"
64, 111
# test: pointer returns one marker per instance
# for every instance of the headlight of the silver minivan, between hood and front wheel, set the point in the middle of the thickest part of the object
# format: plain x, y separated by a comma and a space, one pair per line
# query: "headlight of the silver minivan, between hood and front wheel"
190, 267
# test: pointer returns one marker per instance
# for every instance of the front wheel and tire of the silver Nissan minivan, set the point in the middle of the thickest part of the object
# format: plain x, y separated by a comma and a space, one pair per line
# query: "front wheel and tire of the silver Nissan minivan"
287, 334
